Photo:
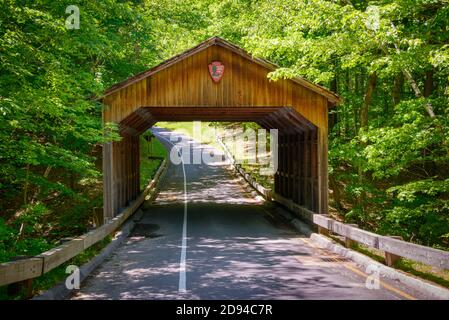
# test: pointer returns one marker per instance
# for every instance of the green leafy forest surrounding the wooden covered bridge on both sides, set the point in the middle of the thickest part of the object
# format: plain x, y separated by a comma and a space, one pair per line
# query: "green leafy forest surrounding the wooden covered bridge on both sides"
388, 142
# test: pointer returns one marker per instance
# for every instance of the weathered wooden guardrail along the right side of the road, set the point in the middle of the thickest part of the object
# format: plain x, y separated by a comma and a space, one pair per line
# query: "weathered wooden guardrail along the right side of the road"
393, 247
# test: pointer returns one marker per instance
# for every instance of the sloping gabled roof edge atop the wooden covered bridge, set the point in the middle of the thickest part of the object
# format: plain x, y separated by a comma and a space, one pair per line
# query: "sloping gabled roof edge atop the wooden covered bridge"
216, 41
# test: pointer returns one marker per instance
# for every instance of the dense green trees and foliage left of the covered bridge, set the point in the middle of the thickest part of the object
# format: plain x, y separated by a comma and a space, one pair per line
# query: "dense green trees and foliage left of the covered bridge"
50, 124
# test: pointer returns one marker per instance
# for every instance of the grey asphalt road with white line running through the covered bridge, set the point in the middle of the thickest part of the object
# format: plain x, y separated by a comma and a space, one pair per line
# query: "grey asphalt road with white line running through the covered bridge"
206, 237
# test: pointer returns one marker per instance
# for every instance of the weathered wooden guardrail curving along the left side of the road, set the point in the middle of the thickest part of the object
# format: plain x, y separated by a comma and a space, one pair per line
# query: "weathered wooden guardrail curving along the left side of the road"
20, 270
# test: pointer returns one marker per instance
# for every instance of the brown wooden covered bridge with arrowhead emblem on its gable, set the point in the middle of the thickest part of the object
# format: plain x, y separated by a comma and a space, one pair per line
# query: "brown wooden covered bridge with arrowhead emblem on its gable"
218, 81
